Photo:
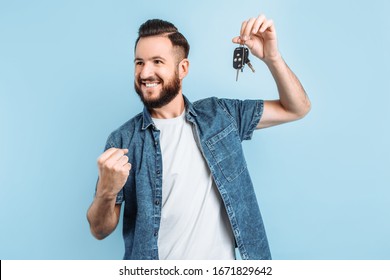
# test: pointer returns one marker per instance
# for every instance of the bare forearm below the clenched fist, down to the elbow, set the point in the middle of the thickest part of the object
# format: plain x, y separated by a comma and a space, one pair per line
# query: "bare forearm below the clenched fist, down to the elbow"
102, 216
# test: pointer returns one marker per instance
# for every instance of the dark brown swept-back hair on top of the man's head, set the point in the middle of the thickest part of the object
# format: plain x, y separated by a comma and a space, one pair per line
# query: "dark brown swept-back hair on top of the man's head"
154, 27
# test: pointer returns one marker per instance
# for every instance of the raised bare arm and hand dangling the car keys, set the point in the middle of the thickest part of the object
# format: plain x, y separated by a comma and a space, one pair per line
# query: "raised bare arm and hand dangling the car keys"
259, 35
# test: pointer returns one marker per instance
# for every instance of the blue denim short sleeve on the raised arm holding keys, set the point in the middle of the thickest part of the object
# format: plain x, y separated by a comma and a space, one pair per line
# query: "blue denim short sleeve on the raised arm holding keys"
246, 113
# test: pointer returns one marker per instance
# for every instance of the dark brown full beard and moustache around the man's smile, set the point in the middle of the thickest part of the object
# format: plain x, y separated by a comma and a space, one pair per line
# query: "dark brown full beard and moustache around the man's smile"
168, 92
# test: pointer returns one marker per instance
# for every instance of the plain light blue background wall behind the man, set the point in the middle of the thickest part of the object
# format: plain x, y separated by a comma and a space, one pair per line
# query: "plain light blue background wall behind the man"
66, 81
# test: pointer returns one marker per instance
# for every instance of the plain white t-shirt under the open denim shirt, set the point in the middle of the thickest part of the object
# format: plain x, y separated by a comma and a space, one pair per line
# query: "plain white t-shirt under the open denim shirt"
194, 223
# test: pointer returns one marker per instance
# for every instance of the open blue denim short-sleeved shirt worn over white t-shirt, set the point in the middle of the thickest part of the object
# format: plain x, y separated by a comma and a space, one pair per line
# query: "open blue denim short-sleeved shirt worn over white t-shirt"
220, 125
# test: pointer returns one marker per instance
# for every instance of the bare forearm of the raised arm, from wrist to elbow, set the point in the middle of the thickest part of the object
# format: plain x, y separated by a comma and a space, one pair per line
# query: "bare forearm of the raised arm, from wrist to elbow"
292, 96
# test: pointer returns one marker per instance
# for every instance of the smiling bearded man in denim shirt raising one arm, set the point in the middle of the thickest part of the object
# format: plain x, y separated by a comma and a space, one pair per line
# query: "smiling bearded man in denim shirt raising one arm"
179, 166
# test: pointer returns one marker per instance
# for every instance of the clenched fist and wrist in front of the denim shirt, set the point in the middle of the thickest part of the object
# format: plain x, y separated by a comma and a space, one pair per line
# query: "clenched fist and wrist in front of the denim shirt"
114, 168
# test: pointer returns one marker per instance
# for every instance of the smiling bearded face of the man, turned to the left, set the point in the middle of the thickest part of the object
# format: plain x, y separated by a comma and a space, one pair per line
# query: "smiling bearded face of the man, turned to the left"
156, 79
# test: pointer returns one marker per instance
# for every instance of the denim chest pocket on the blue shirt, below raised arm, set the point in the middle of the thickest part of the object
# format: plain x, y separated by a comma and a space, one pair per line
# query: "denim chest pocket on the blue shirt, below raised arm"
227, 151
